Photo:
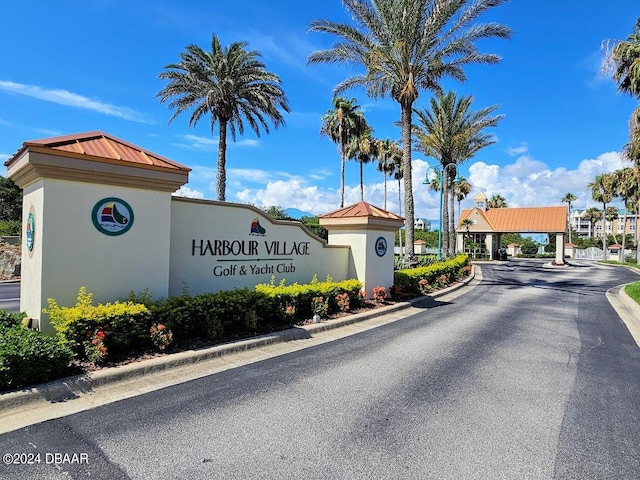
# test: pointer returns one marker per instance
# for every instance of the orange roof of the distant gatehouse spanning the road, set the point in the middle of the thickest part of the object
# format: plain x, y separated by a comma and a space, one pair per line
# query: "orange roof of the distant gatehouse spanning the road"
525, 220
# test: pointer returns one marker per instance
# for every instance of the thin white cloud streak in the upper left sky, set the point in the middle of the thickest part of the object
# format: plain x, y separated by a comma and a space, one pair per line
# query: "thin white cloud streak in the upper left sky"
70, 99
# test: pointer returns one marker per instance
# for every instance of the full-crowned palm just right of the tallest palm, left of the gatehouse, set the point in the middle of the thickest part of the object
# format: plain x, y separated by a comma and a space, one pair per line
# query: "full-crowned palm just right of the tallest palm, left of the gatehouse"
452, 133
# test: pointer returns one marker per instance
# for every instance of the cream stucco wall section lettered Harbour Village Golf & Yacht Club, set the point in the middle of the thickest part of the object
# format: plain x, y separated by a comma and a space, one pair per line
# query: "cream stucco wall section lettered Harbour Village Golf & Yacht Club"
218, 246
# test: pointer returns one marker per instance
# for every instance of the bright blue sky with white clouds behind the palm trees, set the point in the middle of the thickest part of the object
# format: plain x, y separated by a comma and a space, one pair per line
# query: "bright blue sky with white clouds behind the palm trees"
77, 66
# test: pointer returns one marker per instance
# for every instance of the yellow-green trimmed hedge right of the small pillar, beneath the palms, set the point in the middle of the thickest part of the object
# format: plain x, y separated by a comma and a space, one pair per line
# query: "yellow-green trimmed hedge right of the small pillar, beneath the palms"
407, 282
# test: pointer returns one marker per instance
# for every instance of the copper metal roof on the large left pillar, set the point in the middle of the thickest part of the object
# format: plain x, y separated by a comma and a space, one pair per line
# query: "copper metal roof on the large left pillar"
99, 146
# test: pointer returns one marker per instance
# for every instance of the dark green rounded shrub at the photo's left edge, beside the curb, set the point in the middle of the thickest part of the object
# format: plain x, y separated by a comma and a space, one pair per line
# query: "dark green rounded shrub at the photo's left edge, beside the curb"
28, 357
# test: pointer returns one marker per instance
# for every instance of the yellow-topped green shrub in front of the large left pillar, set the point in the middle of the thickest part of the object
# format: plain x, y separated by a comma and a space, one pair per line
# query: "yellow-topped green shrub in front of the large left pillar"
126, 324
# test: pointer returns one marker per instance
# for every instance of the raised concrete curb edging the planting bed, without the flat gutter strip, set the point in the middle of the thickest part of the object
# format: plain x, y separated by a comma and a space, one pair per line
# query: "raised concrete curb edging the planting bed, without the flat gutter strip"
66, 388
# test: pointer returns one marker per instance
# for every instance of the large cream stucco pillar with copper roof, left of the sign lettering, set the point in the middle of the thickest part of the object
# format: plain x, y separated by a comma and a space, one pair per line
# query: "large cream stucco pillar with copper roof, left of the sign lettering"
96, 214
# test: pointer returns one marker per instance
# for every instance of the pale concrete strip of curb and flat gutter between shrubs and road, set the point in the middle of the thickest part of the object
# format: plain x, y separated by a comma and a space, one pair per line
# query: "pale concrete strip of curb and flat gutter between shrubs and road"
66, 396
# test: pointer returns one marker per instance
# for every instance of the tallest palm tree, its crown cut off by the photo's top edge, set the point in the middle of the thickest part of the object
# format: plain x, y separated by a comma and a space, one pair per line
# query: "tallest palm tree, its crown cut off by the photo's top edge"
403, 47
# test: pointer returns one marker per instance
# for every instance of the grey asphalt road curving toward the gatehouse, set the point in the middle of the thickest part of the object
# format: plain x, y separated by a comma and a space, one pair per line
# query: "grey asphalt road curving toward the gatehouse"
531, 375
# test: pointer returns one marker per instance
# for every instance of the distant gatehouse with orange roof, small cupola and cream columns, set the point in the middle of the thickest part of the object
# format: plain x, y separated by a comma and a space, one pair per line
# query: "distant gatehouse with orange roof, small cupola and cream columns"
488, 225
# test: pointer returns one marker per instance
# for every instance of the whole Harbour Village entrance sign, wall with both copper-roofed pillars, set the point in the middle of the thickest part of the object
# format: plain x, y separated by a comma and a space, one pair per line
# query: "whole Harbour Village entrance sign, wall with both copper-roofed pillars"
177, 243
